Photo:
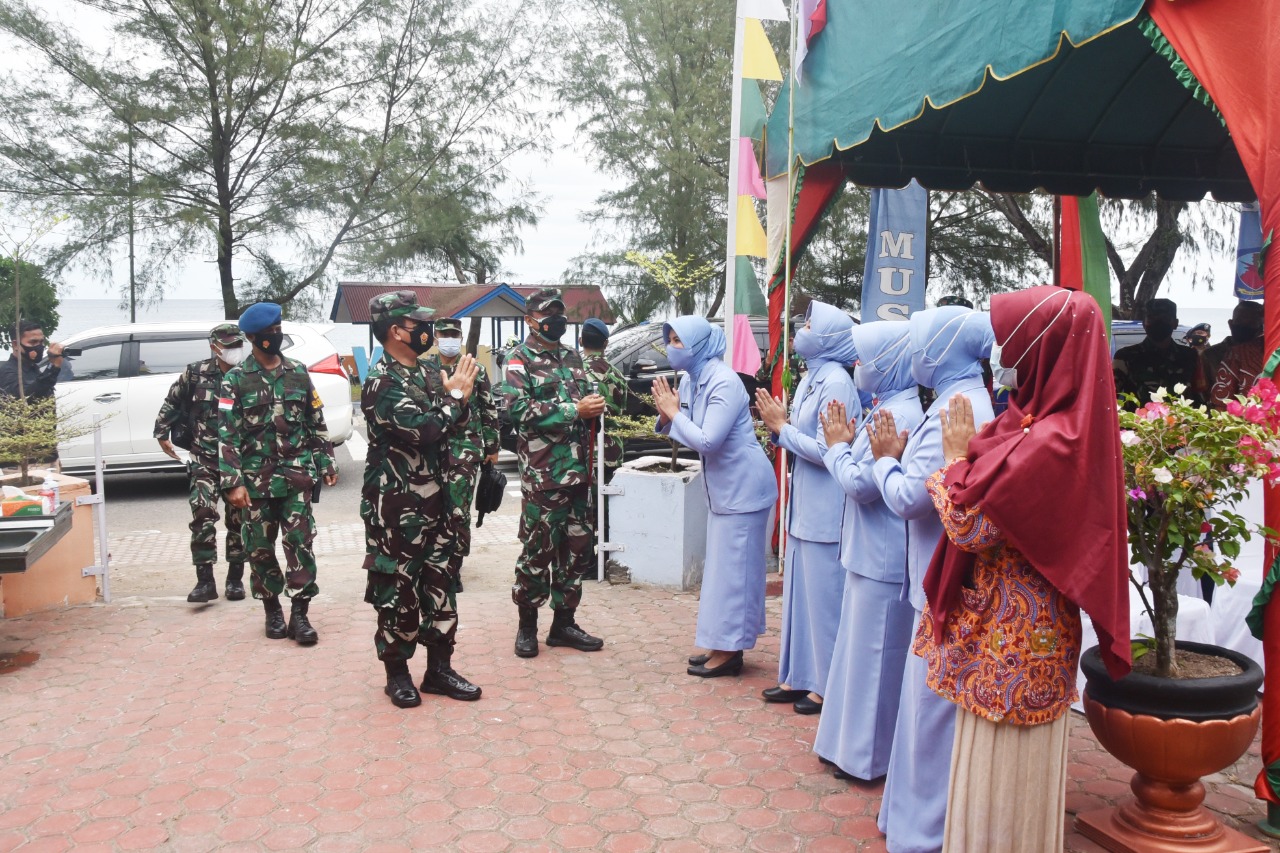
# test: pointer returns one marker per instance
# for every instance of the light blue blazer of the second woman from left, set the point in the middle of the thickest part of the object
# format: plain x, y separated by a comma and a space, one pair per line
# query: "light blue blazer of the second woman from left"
817, 501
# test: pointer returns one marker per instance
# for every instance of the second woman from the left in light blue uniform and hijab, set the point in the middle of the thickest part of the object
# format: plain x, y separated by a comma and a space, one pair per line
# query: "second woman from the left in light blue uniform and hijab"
813, 585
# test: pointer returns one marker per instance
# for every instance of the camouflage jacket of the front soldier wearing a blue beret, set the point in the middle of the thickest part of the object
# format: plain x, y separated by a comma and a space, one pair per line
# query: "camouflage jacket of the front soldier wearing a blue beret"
273, 436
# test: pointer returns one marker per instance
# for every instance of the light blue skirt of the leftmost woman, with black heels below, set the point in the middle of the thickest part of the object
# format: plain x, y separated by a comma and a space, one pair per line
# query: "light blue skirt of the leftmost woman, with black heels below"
732, 606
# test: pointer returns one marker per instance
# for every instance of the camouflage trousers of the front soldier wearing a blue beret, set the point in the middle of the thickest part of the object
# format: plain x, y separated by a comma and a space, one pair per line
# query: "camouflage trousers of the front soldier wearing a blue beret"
267, 518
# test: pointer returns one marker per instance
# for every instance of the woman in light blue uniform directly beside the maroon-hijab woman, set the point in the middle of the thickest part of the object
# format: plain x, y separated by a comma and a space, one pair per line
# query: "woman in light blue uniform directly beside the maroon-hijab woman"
948, 346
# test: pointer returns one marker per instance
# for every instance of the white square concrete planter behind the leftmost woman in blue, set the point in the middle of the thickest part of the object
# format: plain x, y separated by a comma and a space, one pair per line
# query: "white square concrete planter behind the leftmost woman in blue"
661, 519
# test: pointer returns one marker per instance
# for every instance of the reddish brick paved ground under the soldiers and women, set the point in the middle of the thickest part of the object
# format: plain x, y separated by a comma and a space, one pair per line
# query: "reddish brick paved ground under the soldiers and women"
152, 724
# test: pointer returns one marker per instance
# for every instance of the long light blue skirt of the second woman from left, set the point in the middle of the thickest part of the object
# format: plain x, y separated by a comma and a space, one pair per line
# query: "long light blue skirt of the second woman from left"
812, 596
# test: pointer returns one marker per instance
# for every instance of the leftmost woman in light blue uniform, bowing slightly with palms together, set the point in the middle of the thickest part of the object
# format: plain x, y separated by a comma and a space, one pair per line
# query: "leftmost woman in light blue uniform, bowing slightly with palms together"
712, 416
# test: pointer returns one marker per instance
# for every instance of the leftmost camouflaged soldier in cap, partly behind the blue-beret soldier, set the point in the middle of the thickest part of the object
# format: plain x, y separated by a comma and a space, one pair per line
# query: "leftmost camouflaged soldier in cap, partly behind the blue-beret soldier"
194, 399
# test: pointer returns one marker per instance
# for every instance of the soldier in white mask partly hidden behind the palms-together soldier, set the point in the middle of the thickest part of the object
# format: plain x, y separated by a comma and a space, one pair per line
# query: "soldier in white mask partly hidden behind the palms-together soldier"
470, 446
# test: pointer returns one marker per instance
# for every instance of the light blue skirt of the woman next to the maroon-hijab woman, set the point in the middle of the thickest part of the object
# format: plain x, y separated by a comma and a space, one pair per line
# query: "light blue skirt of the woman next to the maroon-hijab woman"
915, 808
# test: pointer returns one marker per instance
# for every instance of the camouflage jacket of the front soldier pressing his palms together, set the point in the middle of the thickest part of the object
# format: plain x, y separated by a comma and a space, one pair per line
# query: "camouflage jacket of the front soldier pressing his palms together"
409, 430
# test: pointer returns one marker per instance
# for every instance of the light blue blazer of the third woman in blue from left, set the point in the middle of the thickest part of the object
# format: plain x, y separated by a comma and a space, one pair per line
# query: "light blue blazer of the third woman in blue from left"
872, 537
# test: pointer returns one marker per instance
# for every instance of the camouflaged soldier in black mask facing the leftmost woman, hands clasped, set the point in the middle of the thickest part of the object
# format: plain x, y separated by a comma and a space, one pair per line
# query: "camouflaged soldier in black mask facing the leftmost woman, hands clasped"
551, 400
